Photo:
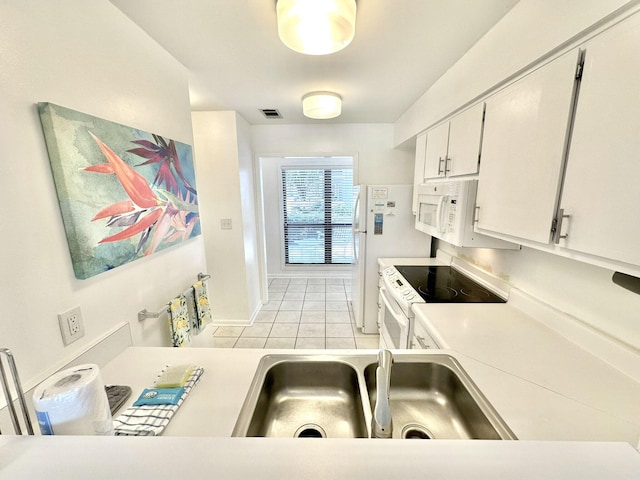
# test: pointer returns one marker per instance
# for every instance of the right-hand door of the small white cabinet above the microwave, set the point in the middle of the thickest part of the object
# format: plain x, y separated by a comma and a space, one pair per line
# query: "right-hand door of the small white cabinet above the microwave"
465, 135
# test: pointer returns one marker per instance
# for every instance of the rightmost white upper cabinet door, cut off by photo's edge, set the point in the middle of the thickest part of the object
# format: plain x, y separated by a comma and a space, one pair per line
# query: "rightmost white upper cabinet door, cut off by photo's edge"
601, 192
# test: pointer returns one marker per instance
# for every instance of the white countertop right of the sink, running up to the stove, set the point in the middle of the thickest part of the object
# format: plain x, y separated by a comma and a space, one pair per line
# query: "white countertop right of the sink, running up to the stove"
548, 387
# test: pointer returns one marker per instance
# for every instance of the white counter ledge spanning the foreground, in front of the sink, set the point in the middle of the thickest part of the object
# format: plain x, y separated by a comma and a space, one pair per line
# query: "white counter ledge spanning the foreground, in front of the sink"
168, 458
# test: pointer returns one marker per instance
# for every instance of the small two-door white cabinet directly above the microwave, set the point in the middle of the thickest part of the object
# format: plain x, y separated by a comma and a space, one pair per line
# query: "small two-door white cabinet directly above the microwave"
453, 148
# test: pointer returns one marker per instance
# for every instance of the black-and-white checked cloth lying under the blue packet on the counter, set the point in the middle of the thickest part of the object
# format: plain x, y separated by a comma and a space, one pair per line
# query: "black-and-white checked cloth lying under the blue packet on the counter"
151, 420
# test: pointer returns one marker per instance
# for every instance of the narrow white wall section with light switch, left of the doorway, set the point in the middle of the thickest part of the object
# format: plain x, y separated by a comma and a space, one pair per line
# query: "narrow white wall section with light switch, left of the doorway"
225, 174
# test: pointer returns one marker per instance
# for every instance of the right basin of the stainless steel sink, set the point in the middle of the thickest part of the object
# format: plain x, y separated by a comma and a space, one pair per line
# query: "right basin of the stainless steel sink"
436, 399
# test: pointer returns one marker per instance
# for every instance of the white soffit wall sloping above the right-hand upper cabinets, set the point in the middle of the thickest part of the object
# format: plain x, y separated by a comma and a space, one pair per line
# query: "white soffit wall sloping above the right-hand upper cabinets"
528, 32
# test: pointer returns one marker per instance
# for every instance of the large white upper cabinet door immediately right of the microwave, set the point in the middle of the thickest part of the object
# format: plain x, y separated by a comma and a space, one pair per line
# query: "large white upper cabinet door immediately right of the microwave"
523, 150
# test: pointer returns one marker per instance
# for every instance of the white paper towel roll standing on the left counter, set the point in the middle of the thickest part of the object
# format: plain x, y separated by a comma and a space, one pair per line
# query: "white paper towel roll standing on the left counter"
73, 402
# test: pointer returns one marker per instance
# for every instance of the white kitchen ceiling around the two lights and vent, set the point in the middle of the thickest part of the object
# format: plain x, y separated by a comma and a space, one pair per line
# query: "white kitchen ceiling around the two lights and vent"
236, 61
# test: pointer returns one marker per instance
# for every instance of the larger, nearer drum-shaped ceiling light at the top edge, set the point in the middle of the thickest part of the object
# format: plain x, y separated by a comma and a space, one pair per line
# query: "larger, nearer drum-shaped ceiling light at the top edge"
316, 27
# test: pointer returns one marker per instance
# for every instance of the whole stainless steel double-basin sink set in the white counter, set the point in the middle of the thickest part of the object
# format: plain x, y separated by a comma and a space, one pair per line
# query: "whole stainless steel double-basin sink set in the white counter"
333, 396
